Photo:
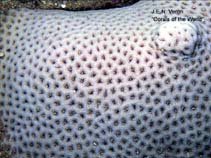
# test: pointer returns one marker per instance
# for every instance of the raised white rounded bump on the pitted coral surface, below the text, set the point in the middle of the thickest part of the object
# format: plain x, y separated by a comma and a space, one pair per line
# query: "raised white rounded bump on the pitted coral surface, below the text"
177, 36
